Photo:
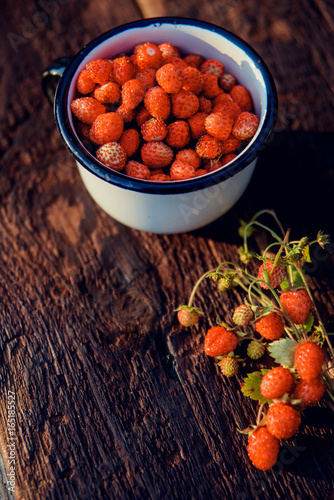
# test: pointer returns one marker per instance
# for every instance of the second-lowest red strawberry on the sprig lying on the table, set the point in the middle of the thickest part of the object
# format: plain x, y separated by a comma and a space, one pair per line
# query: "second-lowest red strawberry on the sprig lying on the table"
282, 420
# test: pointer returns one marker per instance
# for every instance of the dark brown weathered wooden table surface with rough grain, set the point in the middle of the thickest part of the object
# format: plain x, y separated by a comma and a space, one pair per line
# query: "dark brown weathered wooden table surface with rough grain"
113, 400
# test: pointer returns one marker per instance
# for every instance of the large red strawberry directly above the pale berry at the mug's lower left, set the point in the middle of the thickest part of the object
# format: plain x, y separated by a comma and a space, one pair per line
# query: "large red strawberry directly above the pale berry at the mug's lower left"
107, 128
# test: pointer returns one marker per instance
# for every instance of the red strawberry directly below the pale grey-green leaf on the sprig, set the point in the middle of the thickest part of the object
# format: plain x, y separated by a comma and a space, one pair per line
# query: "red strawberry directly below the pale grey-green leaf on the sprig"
276, 383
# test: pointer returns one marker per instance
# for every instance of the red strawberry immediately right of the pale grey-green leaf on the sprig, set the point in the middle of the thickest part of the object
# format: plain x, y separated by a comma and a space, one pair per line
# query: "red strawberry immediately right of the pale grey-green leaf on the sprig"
309, 358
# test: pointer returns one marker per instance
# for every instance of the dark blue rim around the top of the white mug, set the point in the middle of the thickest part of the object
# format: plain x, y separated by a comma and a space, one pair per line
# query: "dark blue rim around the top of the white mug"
84, 158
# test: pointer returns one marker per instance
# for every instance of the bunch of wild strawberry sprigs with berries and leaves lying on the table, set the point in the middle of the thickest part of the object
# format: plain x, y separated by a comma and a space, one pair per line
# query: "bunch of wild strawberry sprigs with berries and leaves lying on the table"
278, 316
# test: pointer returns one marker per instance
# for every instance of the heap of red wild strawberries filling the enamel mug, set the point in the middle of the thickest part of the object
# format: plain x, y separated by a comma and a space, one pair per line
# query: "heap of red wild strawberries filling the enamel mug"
158, 116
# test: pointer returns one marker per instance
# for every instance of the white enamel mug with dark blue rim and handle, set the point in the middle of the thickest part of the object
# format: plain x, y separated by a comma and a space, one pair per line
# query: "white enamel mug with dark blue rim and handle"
175, 206
